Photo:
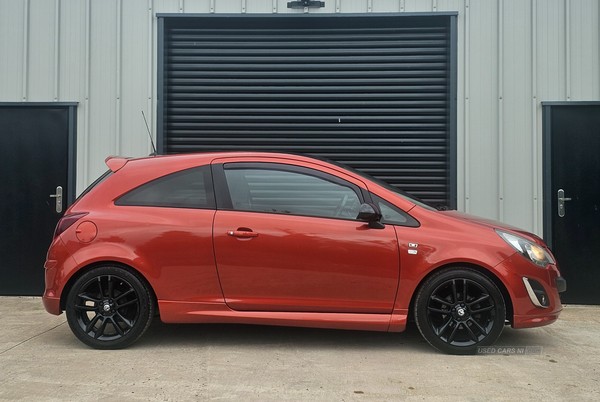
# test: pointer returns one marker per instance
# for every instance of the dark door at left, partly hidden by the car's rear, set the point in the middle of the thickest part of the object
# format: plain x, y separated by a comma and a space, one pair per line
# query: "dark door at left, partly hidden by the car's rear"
36, 157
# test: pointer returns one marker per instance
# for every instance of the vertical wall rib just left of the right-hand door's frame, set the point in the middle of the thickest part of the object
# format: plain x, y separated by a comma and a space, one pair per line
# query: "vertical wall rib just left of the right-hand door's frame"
534, 160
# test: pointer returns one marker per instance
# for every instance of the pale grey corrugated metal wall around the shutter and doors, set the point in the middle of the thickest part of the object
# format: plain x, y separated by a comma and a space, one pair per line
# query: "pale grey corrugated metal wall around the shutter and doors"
513, 54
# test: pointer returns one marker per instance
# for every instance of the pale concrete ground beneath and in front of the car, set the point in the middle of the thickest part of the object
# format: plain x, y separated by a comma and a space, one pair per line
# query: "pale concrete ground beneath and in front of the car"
40, 360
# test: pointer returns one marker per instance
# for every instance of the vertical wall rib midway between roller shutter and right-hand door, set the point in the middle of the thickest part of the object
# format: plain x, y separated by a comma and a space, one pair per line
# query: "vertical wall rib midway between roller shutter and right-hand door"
500, 110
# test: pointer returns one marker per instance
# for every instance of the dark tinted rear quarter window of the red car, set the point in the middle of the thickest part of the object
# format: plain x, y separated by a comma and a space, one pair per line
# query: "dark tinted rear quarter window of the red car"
191, 188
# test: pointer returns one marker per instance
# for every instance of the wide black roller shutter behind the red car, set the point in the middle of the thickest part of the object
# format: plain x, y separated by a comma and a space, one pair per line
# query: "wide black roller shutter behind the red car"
370, 92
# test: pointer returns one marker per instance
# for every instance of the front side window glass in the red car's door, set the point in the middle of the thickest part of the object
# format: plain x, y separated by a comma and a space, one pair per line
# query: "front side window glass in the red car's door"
286, 192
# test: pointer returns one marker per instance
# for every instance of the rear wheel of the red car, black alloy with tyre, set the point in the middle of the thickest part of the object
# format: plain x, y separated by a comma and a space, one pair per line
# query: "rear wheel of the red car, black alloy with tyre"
109, 308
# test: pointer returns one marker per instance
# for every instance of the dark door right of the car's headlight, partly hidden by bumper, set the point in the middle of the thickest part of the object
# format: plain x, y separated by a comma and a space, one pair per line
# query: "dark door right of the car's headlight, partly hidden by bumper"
572, 195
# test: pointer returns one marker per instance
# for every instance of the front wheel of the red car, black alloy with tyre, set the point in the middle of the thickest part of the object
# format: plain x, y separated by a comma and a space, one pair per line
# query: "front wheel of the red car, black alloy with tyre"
458, 310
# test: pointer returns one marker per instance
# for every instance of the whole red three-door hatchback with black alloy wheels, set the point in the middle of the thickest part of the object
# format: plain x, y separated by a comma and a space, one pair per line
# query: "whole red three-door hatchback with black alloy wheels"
281, 239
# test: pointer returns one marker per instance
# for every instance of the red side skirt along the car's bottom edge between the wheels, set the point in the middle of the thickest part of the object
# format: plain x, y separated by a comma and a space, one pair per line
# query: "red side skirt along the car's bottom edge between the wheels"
191, 312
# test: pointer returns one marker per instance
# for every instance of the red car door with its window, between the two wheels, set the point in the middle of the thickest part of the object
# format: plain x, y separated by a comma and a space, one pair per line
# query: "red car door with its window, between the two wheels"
287, 240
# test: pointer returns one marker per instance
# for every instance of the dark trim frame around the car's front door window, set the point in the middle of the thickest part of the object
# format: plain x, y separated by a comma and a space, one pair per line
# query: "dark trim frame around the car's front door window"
223, 197
